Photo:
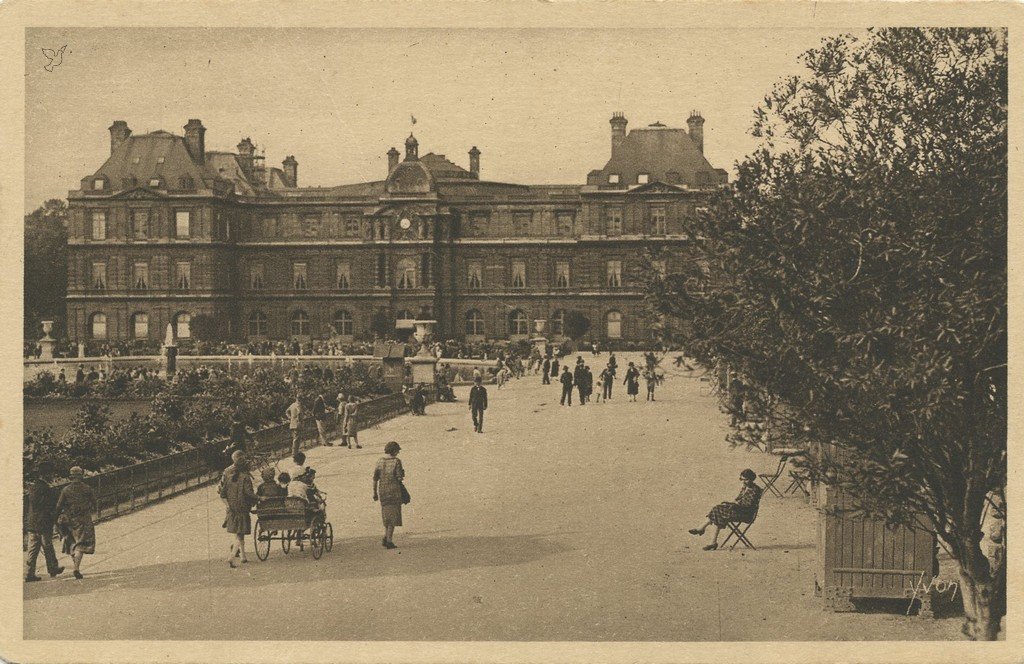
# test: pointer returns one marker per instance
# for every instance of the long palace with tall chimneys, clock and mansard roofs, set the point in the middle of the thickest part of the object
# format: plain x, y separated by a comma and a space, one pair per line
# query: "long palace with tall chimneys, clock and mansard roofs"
166, 231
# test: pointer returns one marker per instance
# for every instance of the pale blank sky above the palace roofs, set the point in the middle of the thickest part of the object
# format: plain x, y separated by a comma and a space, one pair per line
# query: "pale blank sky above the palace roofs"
535, 102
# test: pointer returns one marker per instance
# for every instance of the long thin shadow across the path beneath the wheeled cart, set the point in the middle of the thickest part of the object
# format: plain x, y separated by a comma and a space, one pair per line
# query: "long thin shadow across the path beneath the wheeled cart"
352, 559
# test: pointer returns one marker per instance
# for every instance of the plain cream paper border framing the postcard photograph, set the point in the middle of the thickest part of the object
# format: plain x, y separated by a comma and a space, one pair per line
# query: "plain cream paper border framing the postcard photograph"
17, 16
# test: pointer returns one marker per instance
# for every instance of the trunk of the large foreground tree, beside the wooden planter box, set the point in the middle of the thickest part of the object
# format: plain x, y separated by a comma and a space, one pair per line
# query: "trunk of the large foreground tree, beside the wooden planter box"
983, 590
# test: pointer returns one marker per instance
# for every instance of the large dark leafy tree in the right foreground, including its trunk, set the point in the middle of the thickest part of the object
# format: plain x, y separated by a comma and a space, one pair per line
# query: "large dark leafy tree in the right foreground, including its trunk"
861, 265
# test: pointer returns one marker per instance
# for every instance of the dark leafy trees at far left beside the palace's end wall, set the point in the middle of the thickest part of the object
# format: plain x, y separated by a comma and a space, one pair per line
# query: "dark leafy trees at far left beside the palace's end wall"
46, 267
